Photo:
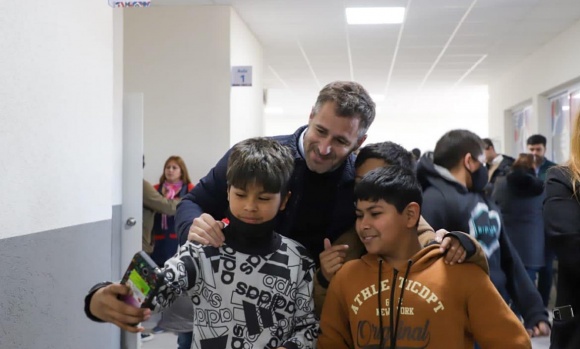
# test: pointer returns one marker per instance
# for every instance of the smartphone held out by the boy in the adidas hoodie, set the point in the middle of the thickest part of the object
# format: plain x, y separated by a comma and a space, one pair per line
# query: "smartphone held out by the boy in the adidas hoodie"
144, 278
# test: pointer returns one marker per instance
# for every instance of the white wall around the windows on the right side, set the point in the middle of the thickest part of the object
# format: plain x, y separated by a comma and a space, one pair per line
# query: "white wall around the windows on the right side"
549, 69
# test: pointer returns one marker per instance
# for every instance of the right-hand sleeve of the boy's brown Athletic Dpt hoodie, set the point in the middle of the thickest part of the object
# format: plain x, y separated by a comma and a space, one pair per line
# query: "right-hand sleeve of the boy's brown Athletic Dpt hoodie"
492, 322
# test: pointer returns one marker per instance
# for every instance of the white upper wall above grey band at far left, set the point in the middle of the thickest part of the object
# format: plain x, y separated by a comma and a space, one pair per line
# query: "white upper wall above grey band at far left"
56, 106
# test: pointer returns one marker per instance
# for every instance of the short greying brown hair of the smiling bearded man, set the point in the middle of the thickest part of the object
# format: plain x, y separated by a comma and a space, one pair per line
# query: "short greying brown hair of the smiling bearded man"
351, 99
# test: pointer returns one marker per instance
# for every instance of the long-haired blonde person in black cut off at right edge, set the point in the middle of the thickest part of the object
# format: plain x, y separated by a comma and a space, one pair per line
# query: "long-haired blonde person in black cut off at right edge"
562, 220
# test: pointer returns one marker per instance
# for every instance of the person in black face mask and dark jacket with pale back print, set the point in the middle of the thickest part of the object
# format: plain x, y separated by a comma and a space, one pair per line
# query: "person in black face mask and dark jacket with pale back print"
453, 180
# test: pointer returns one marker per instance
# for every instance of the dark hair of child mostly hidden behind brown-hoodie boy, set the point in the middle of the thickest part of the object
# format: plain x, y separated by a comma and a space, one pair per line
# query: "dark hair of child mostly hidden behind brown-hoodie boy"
389, 152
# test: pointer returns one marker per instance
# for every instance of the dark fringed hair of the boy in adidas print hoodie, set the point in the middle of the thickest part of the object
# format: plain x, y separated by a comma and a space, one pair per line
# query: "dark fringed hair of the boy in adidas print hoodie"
262, 161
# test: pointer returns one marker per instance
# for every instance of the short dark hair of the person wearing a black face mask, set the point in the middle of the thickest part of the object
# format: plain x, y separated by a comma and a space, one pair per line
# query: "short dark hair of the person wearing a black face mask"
454, 145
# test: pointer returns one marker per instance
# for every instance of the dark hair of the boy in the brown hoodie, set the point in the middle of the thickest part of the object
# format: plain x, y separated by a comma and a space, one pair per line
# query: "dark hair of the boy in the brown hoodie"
394, 184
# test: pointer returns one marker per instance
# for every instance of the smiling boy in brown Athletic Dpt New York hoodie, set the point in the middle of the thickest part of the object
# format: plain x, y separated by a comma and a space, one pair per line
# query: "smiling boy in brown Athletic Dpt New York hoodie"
416, 300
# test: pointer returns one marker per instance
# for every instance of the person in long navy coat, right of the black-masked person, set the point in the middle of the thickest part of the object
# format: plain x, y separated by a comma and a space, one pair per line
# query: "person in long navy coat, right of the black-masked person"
520, 196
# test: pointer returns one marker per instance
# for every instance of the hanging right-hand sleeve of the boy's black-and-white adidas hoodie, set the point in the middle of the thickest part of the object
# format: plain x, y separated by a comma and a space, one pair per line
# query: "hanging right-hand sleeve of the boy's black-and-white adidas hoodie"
305, 322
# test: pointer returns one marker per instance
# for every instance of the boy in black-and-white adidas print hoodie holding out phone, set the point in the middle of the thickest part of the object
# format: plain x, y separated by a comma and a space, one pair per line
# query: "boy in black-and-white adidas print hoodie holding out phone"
256, 289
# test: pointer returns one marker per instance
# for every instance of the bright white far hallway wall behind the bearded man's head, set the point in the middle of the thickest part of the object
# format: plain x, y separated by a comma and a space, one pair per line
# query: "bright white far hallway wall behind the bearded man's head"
416, 123
